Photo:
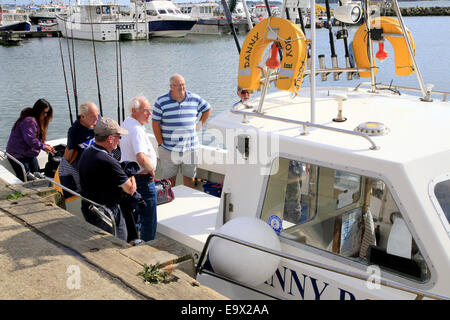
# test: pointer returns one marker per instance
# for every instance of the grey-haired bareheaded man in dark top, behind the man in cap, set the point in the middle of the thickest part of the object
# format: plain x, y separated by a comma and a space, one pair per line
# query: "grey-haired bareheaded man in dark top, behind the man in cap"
79, 137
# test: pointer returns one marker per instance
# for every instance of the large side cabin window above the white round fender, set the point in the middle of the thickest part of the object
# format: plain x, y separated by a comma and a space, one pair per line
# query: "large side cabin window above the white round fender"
343, 213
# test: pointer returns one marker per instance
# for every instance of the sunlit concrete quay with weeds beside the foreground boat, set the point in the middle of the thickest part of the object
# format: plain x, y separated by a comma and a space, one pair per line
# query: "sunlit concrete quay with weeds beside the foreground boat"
48, 253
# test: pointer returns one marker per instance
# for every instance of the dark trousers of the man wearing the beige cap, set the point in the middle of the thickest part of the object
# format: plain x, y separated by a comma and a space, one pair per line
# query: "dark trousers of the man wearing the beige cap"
92, 218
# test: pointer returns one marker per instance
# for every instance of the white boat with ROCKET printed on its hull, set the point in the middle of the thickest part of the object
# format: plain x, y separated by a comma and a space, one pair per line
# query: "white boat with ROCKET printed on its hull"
100, 22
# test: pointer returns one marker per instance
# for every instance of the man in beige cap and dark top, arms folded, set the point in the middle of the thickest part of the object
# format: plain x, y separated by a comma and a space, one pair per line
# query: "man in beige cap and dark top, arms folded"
102, 177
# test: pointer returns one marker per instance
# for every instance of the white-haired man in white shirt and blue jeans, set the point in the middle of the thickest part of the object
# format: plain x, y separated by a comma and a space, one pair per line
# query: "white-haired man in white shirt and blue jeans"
136, 146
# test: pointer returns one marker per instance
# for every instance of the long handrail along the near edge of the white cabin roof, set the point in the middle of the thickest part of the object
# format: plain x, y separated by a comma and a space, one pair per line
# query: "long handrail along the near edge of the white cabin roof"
305, 125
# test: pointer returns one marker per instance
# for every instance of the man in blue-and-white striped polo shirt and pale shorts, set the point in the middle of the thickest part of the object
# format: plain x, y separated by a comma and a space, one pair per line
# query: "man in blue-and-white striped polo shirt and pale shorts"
174, 123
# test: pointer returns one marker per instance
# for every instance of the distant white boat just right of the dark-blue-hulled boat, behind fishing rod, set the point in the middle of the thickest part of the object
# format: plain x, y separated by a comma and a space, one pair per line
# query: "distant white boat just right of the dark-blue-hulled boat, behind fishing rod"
211, 19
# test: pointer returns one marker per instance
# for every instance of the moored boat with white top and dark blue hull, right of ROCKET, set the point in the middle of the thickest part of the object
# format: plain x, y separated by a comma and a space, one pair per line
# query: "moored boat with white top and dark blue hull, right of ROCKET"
163, 17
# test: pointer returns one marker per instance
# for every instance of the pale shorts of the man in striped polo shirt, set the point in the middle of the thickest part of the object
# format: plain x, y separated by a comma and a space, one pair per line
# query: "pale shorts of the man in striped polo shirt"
172, 162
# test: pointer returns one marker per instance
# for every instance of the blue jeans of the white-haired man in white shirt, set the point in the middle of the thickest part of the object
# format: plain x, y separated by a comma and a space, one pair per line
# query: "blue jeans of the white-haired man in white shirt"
147, 215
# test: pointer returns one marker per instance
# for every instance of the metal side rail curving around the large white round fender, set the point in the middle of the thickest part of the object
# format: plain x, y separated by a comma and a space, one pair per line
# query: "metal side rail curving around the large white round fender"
420, 294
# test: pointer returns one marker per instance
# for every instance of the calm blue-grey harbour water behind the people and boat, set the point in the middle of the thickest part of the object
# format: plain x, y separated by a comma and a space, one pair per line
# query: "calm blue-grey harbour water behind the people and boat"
208, 63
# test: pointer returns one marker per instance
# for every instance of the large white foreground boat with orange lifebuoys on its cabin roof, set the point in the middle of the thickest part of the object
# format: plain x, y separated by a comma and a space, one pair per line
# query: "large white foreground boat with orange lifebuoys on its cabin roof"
330, 193
